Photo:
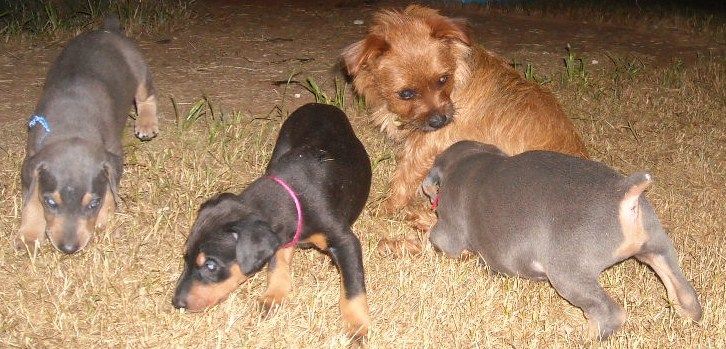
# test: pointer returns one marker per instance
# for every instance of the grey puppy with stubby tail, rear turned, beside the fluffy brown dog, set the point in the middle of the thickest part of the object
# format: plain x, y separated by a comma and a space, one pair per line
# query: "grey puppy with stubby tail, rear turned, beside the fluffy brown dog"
548, 216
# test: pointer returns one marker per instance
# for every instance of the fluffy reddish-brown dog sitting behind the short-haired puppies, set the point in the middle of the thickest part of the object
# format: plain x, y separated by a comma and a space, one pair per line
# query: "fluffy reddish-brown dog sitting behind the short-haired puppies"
429, 87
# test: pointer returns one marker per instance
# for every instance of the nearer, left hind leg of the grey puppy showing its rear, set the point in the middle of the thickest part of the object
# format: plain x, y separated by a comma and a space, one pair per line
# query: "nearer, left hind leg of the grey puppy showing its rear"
583, 291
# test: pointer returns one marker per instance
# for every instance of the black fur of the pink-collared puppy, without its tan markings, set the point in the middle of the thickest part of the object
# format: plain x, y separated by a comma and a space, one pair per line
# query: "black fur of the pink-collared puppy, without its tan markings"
318, 155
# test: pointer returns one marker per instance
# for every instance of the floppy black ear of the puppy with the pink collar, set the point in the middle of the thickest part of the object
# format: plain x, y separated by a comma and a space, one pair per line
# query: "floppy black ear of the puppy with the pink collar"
256, 243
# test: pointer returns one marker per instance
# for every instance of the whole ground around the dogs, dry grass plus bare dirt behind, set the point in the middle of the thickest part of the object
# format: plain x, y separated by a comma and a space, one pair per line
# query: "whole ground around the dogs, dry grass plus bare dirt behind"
656, 114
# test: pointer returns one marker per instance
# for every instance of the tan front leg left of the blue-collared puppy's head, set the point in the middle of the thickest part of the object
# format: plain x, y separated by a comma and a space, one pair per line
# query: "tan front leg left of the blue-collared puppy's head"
32, 227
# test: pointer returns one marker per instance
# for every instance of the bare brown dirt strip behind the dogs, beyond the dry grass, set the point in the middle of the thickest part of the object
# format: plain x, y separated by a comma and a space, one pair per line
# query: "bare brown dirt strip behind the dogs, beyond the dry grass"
233, 51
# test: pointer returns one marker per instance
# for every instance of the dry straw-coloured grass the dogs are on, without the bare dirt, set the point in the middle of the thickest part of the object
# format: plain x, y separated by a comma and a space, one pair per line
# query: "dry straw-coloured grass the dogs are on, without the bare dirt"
117, 293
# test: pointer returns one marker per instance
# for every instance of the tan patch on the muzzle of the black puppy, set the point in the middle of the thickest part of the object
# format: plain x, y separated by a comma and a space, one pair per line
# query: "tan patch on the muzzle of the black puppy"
202, 296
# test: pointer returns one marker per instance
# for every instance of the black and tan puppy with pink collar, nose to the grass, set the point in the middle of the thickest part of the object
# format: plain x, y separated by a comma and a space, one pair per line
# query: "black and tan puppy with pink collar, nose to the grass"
314, 188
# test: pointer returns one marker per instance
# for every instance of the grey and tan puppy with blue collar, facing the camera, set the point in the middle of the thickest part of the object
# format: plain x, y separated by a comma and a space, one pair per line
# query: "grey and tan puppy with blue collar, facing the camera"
73, 159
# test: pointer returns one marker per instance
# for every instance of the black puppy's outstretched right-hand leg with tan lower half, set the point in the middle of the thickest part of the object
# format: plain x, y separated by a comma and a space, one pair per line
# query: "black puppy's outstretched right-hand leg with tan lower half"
347, 255
